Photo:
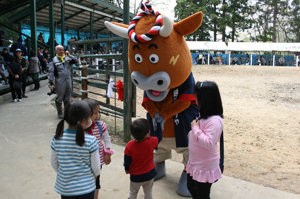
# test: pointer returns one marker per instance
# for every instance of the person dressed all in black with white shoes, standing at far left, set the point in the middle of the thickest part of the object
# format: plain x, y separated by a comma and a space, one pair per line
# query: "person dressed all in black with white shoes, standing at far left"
15, 74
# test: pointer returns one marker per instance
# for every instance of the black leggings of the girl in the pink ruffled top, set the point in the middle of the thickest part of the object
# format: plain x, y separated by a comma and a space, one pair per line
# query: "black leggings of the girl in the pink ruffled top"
197, 189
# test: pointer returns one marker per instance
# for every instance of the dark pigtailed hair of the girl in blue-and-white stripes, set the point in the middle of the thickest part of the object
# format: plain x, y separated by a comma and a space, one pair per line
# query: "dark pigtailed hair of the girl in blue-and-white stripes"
75, 112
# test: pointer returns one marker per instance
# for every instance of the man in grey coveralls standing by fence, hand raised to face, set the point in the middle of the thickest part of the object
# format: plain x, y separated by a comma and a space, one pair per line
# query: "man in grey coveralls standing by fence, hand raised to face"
59, 77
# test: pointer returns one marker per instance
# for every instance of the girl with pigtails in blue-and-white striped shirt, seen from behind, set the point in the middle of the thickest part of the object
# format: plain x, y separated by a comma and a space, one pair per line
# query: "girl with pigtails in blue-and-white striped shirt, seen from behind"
74, 154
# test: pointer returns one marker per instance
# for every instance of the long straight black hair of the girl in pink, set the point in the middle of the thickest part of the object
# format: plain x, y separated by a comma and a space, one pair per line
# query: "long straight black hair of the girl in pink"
208, 98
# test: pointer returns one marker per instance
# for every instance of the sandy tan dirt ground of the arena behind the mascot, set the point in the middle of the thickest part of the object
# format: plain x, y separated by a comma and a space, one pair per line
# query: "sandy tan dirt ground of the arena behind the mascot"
261, 122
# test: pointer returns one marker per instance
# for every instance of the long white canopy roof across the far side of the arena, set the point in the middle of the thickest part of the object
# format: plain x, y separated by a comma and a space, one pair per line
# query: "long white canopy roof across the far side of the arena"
243, 46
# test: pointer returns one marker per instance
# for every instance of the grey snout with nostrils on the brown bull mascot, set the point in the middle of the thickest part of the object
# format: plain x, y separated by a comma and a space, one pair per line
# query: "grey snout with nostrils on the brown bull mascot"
159, 81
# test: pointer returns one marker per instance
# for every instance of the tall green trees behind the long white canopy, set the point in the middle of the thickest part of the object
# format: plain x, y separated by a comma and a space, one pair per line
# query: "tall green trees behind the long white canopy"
264, 20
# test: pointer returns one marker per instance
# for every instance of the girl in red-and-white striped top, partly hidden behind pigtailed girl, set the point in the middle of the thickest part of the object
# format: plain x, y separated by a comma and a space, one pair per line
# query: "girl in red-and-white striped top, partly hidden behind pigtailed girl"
99, 130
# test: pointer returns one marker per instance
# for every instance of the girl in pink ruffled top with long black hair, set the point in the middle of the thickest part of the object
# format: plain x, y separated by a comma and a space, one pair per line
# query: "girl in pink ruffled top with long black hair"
203, 165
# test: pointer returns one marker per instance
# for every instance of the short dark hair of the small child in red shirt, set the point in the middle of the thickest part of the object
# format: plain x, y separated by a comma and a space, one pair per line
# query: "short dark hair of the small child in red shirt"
139, 129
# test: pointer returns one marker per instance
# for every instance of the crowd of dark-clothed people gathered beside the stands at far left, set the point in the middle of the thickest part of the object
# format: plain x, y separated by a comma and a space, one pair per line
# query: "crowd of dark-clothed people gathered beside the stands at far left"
20, 66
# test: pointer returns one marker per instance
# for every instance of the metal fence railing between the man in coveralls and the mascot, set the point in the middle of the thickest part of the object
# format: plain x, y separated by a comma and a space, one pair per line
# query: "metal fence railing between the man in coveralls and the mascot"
88, 79
